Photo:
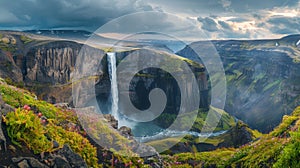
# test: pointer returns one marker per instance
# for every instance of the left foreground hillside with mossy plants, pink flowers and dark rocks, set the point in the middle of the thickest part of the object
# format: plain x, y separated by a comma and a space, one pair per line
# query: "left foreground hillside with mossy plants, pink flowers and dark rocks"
40, 134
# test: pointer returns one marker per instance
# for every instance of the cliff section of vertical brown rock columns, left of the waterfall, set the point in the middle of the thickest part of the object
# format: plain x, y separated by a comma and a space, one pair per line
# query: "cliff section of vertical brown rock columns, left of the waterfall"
49, 63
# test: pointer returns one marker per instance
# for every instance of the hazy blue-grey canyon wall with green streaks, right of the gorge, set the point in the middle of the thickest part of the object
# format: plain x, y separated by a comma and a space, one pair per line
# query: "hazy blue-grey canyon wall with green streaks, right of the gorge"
262, 78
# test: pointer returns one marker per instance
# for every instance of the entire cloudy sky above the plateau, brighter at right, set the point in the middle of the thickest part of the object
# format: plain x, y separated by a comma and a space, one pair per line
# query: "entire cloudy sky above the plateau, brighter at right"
219, 19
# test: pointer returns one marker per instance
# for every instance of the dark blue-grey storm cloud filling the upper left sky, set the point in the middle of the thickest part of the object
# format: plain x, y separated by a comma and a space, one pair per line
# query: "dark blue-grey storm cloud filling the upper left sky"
67, 13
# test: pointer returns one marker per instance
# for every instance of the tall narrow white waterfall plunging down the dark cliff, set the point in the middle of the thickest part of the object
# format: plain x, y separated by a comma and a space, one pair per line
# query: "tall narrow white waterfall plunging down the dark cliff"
112, 68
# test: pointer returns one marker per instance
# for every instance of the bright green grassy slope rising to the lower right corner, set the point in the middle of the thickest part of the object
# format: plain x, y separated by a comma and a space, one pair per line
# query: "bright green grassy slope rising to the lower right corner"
280, 148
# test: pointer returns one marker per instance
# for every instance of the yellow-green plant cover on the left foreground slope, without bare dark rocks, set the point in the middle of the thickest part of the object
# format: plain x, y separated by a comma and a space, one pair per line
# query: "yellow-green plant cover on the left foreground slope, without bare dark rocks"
23, 125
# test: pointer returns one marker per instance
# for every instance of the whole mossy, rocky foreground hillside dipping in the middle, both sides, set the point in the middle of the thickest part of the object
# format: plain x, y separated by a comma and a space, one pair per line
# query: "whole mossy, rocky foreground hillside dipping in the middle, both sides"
36, 133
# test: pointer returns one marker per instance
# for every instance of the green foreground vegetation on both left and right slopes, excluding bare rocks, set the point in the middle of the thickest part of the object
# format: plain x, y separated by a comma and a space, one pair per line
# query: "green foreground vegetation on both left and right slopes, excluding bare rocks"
43, 127
